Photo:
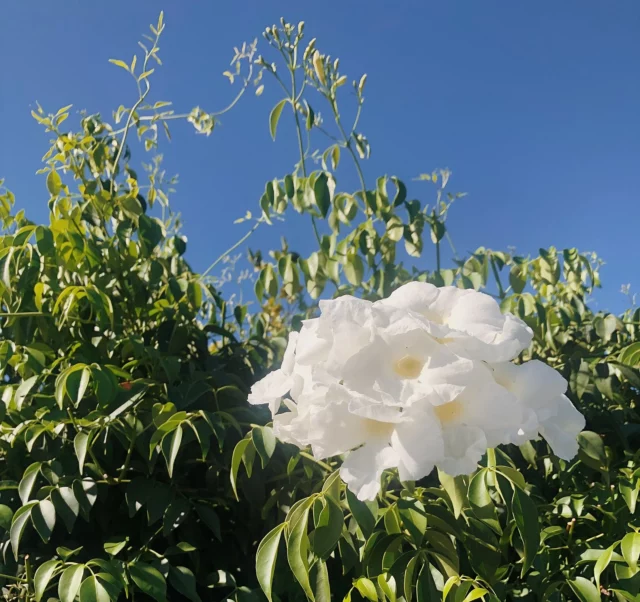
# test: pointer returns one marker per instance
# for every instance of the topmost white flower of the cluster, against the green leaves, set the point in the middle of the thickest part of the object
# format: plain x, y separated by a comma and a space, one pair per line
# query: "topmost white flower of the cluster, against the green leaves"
467, 321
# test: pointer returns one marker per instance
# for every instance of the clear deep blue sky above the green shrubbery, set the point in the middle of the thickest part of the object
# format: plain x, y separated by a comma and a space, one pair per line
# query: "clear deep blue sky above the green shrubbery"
534, 106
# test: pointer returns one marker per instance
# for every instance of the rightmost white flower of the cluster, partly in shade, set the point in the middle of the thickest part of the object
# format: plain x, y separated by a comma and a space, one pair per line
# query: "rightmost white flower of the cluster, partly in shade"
548, 411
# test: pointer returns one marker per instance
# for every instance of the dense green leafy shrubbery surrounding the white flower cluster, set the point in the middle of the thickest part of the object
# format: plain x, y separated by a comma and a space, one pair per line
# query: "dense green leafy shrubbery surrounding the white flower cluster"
131, 464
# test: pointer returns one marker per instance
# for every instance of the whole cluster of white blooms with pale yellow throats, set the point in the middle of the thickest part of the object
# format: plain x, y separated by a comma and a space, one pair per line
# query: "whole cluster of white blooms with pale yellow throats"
421, 379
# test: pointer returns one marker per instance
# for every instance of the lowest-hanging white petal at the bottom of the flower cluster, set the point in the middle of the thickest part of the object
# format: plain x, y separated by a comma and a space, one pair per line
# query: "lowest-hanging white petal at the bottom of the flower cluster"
363, 468
